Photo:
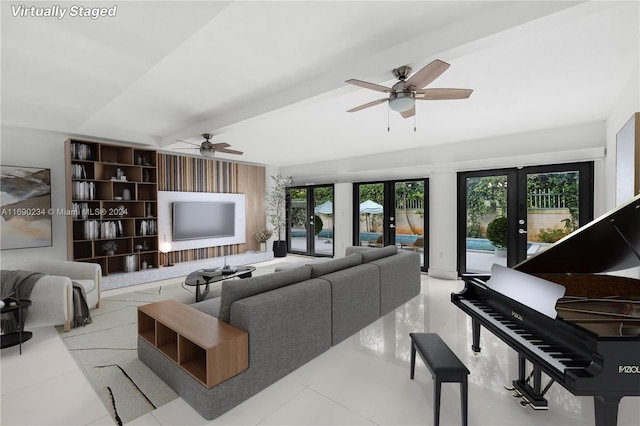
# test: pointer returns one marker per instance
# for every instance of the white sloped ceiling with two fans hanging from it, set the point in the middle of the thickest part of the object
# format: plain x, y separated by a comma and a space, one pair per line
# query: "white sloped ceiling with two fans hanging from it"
268, 77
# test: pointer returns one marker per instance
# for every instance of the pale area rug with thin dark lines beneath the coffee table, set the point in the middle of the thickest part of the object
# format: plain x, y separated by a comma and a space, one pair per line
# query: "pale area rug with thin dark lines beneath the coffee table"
106, 350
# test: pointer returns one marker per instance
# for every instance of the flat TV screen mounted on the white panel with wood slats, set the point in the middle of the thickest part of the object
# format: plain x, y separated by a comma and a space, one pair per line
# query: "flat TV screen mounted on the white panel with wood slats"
199, 220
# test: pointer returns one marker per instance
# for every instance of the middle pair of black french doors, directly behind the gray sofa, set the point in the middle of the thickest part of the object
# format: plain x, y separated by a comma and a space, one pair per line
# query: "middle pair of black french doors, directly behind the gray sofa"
392, 213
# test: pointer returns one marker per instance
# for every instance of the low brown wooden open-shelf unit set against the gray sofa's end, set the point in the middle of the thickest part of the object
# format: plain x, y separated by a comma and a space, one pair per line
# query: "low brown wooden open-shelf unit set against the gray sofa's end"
211, 351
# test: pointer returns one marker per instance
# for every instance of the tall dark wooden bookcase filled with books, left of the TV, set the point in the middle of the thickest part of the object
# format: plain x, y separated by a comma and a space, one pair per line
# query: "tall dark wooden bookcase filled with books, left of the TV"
112, 195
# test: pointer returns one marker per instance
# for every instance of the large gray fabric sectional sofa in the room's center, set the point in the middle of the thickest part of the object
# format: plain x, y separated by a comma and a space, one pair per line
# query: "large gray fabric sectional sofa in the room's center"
292, 316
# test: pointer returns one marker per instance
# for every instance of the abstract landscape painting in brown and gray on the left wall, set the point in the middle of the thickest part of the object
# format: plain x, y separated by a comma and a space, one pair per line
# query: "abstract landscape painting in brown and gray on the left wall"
25, 205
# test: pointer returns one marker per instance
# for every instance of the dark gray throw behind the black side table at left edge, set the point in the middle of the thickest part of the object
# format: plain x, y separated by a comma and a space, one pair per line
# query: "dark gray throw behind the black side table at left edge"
16, 285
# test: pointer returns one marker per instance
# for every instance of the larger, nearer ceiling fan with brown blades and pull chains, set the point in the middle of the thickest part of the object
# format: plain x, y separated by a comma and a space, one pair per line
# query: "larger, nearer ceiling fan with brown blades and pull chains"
405, 92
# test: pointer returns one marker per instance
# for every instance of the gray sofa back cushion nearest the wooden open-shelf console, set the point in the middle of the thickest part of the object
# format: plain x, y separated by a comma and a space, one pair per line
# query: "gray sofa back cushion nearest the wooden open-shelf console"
239, 289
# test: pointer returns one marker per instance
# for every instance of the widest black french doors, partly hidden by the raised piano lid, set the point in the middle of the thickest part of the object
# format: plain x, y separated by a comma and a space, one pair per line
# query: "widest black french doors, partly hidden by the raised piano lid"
507, 215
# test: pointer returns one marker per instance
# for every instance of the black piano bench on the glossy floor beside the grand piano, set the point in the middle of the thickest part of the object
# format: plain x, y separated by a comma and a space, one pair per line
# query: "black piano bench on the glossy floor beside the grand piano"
444, 366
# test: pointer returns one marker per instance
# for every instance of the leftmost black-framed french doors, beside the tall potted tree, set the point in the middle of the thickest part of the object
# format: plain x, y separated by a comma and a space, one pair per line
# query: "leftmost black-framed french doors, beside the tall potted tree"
310, 220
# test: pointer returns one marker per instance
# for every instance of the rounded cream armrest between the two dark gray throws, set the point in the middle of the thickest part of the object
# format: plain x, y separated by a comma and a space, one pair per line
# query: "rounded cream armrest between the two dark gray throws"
50, 303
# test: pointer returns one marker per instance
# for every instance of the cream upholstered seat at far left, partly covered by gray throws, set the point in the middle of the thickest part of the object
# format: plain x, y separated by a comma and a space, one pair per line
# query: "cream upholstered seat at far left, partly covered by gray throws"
51, 296
